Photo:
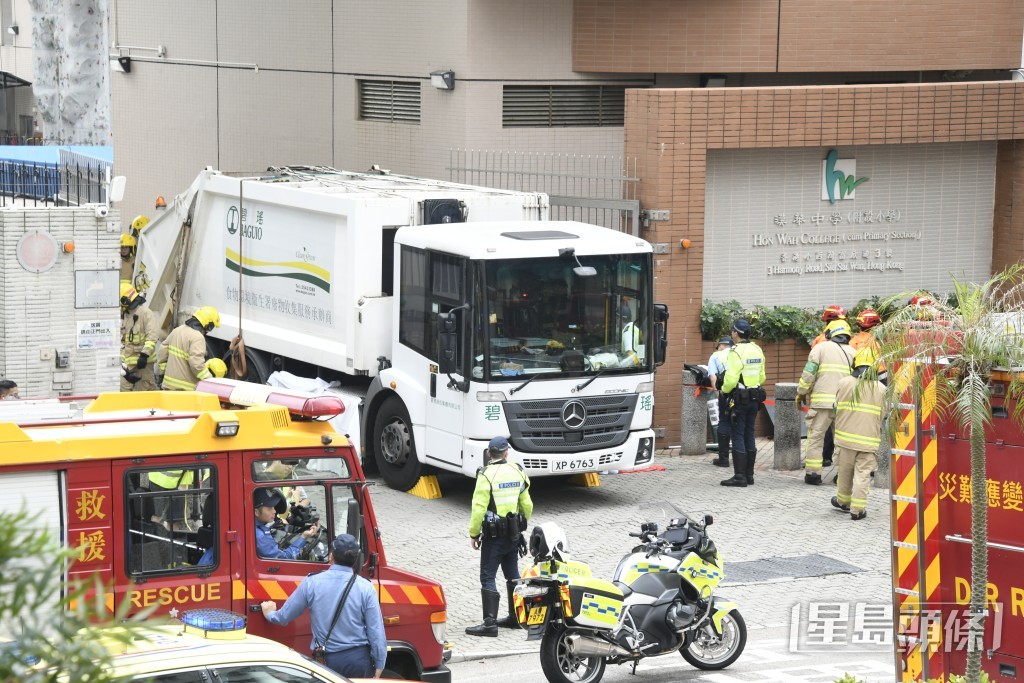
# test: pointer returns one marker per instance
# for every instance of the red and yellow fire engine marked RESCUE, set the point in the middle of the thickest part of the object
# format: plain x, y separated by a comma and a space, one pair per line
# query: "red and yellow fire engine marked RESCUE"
157, 489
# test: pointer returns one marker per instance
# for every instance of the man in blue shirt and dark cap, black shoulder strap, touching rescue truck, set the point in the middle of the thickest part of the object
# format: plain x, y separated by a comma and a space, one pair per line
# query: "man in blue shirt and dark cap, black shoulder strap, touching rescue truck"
357, 647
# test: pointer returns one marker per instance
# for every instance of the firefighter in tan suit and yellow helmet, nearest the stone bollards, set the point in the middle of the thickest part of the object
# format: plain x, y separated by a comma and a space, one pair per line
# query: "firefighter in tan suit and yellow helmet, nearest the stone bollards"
827, 365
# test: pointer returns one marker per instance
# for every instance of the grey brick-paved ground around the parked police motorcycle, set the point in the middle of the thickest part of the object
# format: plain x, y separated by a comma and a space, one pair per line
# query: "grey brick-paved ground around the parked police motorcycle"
779, 519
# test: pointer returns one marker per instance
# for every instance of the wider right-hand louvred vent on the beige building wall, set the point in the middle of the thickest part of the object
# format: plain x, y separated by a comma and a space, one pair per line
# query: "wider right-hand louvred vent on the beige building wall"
556, 106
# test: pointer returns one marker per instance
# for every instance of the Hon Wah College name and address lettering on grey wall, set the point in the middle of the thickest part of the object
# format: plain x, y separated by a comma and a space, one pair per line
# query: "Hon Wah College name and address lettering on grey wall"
869, 247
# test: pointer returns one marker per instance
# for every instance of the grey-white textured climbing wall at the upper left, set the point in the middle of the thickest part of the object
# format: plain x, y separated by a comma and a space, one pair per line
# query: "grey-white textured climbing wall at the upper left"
72, 71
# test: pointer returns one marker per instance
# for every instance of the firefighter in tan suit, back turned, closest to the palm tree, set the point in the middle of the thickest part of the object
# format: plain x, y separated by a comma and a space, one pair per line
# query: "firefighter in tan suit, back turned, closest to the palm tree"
860, 405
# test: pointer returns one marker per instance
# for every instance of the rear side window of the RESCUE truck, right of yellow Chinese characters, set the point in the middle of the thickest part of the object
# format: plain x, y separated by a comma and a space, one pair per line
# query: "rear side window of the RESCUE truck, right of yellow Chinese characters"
173, 521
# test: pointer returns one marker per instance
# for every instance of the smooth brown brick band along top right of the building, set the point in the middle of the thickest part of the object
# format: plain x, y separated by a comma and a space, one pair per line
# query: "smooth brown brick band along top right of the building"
794, 36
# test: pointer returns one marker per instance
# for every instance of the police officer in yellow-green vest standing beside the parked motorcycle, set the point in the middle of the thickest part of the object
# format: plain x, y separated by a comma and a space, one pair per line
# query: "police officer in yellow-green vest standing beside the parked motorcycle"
501, 509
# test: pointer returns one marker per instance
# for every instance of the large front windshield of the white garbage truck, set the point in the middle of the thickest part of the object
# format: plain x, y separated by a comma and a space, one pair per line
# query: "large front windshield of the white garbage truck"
542, 319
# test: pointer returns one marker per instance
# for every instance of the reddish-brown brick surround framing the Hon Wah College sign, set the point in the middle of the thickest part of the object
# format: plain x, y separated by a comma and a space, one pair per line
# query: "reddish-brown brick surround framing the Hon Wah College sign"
670, 133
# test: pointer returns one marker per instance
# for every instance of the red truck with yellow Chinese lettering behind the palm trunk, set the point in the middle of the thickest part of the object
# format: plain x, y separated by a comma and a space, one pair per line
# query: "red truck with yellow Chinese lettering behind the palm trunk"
931, 527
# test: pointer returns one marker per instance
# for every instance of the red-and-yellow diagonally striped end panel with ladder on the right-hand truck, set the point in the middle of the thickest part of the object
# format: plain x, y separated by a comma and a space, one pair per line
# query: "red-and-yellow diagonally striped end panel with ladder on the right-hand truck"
914, 522
